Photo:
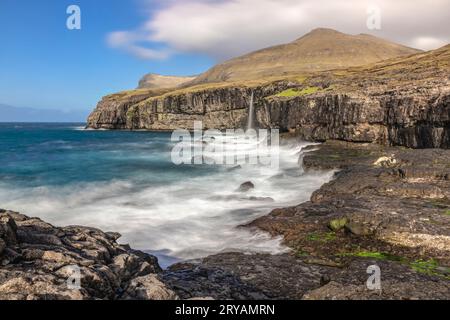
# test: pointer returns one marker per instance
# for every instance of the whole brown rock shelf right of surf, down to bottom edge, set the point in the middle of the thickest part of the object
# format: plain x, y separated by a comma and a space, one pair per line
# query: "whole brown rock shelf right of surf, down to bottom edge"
386, 207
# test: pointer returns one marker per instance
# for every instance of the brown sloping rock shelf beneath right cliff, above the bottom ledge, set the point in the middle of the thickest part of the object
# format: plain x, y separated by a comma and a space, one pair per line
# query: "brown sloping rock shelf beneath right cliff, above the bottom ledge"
400, 207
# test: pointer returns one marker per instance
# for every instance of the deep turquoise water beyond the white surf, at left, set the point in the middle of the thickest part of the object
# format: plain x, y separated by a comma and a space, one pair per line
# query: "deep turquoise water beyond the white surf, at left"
59, 154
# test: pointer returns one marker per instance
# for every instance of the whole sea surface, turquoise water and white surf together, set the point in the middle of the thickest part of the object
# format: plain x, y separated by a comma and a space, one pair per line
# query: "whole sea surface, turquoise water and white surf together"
126, 182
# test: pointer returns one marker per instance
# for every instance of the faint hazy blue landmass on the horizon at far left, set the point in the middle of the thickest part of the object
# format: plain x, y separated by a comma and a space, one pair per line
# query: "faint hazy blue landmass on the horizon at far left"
17, 114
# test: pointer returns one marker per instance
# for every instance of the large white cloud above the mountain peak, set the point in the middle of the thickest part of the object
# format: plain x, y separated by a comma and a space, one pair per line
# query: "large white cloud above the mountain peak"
226, 28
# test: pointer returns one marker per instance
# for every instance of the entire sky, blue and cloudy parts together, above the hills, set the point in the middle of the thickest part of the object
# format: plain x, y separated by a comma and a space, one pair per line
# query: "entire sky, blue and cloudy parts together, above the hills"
45, 65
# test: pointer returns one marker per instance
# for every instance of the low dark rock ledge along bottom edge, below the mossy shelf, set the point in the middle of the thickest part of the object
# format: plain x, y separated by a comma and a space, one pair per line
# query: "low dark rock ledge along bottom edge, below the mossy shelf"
269, 277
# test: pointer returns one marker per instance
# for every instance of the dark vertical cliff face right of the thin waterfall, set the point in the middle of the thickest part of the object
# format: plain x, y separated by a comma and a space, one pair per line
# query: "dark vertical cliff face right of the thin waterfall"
411, 119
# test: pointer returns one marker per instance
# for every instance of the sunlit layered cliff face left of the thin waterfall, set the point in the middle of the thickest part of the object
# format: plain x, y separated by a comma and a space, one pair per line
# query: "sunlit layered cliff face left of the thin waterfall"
218, 108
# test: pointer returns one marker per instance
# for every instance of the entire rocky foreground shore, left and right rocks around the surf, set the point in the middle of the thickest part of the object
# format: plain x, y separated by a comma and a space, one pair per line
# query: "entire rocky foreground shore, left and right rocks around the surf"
386, 206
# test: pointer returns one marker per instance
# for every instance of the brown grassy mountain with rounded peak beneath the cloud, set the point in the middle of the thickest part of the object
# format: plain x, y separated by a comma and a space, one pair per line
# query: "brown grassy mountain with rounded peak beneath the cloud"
321, 49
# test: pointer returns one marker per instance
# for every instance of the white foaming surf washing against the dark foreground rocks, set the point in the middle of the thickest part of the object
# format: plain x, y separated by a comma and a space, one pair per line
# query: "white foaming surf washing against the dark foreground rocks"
188, 218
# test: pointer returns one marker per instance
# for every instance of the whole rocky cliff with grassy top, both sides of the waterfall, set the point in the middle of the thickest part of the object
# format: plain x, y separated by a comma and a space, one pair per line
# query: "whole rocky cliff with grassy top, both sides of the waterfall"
399, 102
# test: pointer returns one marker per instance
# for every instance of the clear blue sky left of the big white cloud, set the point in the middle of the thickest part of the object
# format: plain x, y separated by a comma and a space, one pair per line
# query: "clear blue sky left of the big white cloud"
45, 65
